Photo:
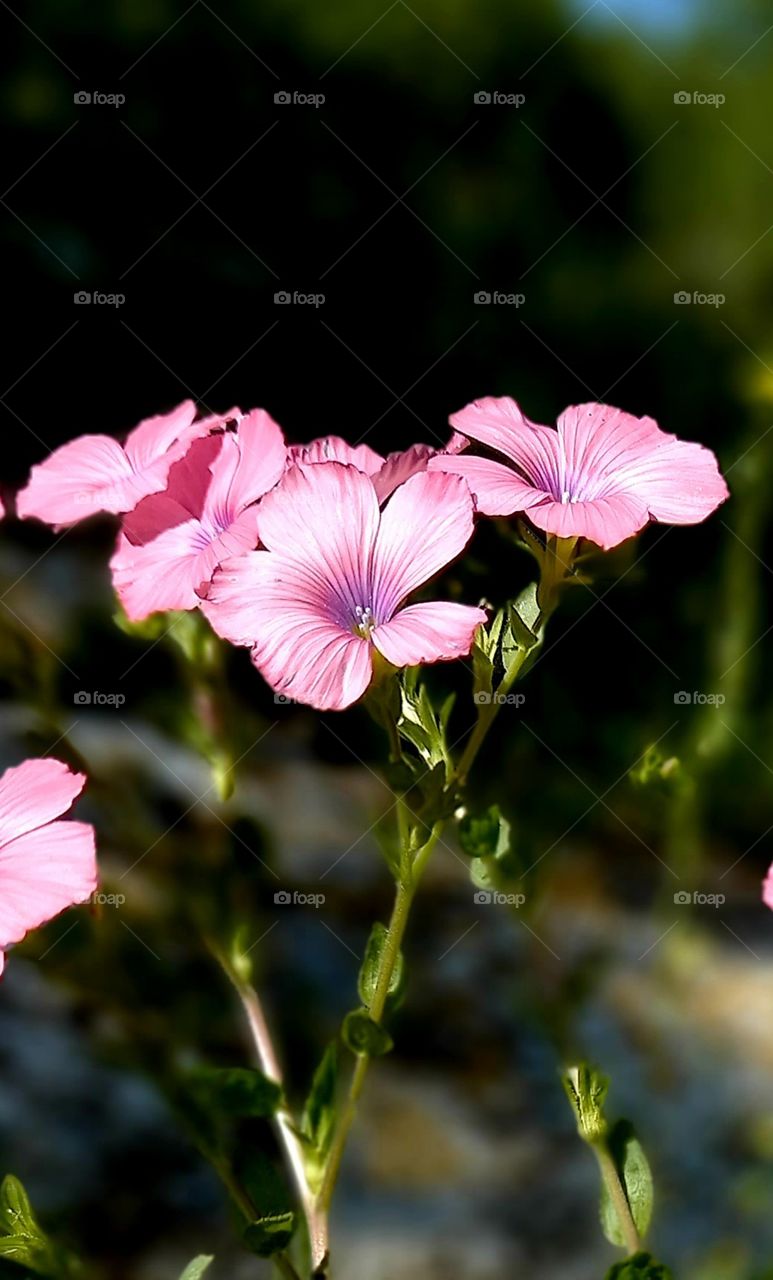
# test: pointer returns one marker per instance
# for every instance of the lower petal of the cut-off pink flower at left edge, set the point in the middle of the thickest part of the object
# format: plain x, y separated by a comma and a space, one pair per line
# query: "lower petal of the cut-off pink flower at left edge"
43, 874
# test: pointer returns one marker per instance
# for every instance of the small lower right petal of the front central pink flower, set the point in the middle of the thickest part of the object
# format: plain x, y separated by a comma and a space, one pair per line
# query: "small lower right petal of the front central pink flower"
428, 633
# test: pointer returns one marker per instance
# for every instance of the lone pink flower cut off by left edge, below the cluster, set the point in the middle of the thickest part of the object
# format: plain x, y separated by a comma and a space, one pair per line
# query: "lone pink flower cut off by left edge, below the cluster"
45, 866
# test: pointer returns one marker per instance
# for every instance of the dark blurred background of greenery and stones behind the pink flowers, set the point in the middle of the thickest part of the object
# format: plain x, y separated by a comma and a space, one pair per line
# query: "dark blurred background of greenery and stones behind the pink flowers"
554, 202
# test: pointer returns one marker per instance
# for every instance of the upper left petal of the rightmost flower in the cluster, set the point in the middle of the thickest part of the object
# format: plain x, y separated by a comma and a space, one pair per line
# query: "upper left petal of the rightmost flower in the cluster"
498, 423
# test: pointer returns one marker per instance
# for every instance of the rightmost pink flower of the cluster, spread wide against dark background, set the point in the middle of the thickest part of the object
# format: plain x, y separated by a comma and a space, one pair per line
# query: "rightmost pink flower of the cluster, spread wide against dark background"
602, 476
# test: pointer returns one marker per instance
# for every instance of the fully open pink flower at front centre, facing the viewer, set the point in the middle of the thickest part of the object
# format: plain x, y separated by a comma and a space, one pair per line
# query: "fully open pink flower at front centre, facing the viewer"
332, 584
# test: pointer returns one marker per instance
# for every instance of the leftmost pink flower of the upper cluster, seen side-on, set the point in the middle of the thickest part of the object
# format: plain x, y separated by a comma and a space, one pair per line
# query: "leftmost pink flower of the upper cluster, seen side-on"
95, 473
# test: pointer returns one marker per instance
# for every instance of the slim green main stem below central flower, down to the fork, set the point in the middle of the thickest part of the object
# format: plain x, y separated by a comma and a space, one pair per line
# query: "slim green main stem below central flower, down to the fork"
406, 892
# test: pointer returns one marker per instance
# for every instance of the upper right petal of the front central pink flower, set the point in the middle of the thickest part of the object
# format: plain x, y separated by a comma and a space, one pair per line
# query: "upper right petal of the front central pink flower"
426, 525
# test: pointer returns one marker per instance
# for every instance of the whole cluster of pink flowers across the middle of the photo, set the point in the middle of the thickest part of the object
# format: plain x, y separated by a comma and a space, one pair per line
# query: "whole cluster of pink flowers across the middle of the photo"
308, 555
